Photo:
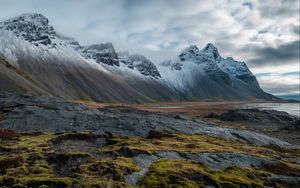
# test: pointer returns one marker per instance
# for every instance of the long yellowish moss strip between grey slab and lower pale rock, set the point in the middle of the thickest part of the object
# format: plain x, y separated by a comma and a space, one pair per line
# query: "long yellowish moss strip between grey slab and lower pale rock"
184, 143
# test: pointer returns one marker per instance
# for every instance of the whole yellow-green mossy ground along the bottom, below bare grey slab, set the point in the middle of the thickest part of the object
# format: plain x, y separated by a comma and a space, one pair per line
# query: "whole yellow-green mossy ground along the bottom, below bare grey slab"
70, 159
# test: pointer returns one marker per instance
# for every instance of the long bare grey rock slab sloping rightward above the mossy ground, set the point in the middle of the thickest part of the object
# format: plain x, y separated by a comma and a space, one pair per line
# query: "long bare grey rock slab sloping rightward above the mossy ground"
46, 114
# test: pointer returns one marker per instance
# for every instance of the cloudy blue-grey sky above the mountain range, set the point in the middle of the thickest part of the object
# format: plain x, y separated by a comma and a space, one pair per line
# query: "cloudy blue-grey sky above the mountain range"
263, 33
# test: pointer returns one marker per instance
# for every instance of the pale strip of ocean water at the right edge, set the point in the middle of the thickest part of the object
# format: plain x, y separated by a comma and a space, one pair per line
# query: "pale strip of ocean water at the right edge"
291, 108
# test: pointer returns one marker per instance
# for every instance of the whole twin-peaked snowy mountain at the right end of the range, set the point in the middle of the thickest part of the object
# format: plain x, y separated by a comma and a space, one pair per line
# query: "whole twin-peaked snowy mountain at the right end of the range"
205, 74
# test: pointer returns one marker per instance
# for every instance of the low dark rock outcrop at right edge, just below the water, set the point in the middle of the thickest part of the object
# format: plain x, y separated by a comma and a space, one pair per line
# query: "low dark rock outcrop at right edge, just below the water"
274, 123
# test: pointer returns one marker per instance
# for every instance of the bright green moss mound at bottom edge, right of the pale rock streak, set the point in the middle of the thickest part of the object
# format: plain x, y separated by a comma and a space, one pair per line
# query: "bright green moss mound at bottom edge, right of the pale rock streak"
179, 173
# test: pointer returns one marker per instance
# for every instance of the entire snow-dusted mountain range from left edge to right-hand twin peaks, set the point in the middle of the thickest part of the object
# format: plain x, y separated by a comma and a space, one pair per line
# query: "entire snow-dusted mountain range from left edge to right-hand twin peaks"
35, 59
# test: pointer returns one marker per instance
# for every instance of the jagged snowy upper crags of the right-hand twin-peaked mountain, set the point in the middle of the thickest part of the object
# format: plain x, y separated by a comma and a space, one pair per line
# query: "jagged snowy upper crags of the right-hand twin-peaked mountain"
209, 60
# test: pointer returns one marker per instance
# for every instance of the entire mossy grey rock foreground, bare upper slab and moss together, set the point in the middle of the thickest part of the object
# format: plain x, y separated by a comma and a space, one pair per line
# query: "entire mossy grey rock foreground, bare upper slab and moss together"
50, 142
